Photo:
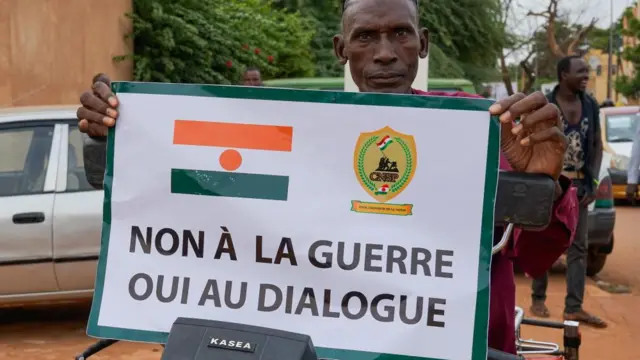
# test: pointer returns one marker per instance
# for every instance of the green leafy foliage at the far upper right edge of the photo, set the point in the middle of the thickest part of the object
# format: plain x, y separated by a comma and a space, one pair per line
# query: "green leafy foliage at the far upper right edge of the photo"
630, 85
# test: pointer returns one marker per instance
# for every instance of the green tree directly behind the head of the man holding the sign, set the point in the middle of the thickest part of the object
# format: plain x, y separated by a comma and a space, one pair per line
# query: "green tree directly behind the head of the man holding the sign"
464, 38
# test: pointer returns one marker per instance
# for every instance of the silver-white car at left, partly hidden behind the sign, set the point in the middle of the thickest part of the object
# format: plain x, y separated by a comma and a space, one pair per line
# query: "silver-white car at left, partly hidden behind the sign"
50, 217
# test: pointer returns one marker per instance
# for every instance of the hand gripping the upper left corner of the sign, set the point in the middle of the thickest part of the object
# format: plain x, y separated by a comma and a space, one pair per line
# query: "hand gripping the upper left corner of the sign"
99, 108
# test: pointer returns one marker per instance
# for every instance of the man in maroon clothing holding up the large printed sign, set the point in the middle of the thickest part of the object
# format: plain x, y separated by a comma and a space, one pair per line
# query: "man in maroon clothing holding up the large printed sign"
381, 41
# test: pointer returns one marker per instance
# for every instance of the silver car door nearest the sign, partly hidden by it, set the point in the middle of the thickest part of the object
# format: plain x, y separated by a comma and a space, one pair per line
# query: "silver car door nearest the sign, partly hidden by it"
77, 219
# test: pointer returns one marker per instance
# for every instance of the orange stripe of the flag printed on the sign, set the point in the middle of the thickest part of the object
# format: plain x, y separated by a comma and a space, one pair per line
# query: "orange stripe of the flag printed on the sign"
240, 136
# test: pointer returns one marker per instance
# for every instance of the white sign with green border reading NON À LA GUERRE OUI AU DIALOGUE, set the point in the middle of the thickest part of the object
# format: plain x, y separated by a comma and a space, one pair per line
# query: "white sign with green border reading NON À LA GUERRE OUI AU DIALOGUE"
307, 211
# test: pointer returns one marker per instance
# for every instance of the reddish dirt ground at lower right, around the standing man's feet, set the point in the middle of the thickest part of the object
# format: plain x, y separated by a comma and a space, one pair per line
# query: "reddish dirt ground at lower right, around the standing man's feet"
621, 340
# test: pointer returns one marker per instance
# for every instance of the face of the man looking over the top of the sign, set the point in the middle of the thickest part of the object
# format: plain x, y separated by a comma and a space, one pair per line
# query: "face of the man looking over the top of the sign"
382, 43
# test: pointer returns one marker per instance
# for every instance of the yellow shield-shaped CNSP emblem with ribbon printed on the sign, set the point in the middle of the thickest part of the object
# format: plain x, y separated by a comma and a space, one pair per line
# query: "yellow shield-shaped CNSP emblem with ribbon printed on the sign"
384, 162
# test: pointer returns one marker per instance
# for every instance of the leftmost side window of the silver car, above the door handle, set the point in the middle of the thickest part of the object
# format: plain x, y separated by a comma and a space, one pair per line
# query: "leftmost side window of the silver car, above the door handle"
24, 157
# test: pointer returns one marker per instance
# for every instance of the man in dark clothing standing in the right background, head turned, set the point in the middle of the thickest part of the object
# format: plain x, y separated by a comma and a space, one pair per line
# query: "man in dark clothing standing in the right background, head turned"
580, 115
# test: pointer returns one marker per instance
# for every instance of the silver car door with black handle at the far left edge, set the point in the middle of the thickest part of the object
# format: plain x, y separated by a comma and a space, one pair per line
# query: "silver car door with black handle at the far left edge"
28, 165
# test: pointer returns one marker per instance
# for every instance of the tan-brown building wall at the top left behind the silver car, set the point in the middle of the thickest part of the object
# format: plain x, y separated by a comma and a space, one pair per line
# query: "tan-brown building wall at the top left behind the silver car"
50, 49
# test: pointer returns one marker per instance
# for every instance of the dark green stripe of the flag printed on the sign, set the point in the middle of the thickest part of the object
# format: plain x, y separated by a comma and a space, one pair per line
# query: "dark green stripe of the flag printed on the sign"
229, 184
